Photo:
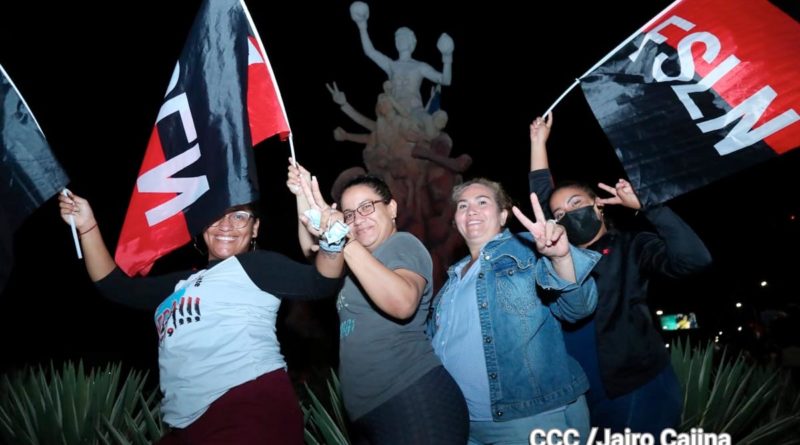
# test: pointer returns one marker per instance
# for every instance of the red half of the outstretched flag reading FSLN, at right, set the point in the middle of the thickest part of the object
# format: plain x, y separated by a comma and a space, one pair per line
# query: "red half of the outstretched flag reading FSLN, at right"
763, 38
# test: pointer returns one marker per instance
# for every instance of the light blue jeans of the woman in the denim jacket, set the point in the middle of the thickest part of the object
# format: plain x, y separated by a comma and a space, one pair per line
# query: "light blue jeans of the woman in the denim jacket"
517, 432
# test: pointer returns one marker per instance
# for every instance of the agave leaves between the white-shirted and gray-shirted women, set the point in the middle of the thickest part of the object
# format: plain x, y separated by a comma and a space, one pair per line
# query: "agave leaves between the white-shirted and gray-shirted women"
325, 425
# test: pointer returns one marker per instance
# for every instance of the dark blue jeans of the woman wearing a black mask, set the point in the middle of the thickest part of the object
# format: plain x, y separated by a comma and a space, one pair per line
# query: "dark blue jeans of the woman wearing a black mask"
650, 408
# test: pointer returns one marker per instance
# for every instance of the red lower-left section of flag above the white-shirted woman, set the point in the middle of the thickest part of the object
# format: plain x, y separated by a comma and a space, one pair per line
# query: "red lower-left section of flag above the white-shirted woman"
139, 244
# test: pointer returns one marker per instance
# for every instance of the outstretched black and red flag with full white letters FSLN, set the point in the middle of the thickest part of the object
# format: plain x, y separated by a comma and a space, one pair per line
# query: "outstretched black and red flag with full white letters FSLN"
710, 88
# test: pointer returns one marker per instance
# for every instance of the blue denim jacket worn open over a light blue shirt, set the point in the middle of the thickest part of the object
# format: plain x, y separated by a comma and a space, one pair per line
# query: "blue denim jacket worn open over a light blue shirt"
527, 365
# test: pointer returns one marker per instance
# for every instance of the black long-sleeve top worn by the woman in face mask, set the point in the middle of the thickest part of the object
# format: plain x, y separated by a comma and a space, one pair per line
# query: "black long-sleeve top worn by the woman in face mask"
630, 350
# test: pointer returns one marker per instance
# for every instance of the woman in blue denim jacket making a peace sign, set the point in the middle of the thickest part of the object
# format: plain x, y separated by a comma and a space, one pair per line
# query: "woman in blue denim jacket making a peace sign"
495, 332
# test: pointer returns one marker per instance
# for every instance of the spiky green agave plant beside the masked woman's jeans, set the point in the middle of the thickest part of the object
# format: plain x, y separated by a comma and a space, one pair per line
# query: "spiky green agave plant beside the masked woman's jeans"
754, 404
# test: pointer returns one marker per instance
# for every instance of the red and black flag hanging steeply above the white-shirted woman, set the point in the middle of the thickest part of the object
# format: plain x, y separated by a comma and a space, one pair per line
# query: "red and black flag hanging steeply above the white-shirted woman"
221, 100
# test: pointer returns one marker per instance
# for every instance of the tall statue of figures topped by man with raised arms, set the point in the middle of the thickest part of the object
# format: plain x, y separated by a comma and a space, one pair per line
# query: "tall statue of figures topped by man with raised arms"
405, 144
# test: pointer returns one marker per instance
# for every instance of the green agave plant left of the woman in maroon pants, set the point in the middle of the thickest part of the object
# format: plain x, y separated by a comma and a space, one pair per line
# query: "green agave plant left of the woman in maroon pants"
69, 407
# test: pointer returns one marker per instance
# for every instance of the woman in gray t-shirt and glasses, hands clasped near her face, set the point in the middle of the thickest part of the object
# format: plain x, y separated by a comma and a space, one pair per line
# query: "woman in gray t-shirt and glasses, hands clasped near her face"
395, 389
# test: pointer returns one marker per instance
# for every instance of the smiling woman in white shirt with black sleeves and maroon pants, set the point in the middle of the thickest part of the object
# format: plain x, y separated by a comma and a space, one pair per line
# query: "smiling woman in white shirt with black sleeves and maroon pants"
222, 374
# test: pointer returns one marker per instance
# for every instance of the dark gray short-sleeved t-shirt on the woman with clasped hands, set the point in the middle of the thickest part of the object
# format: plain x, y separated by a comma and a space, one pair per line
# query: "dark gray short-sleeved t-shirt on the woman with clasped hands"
380, 356
